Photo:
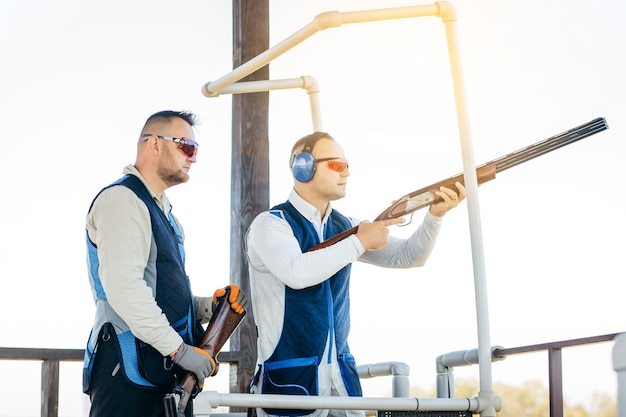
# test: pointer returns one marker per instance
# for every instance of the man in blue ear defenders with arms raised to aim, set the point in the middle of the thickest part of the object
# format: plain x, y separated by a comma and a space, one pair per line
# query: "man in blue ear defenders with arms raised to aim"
300, 299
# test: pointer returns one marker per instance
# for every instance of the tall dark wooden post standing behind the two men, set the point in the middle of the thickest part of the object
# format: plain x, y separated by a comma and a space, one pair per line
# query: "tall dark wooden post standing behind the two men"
249, 170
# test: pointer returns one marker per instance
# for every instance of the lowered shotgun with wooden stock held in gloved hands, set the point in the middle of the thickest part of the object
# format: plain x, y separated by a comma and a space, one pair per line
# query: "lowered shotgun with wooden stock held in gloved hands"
221, 326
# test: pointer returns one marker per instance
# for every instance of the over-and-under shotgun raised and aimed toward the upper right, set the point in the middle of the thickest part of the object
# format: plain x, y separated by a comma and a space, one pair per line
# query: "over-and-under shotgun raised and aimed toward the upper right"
426, 196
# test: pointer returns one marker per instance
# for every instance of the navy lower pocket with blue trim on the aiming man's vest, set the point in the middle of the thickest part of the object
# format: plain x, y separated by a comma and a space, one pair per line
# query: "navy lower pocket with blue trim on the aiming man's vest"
290, 377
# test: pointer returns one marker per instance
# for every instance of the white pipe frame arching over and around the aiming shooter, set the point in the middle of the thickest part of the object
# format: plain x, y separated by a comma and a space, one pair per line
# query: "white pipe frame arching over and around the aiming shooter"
486, 403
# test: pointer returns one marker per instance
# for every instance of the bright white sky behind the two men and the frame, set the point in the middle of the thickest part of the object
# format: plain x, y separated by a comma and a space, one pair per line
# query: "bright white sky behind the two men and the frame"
78, 79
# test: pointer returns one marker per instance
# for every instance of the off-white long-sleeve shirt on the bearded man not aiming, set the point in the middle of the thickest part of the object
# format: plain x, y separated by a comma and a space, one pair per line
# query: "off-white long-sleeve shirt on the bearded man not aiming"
119, 225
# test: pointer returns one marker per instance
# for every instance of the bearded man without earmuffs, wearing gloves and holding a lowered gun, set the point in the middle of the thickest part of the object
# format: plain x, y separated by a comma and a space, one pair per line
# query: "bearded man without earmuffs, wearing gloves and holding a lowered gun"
148, 323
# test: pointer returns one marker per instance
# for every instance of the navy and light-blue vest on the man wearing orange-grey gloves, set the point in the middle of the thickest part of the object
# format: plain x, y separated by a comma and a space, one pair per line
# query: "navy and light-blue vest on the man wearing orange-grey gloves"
144, 366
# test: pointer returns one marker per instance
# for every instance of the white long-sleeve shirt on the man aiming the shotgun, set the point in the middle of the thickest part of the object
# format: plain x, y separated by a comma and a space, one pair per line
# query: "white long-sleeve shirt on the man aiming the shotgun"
276, 260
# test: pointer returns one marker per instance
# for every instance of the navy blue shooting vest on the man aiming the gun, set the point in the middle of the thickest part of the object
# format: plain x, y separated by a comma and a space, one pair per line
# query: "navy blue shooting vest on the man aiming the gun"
310, 316
